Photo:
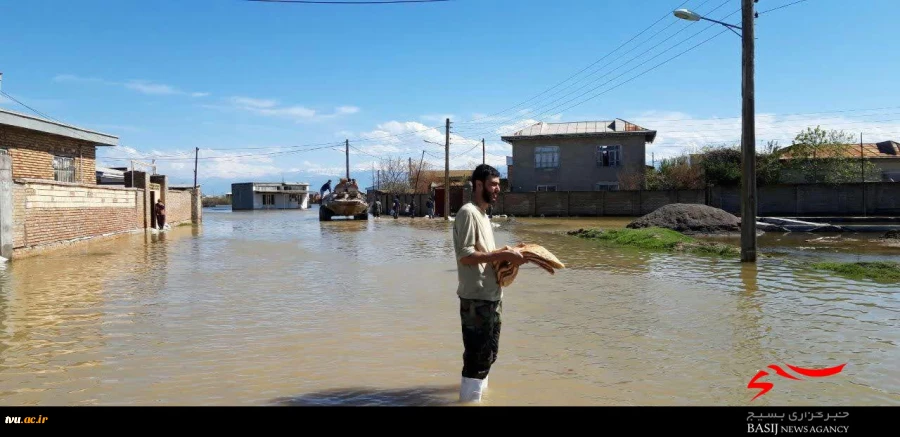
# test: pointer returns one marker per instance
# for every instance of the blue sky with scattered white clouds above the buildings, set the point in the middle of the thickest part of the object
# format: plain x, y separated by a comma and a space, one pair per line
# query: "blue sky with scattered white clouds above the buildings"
238, 78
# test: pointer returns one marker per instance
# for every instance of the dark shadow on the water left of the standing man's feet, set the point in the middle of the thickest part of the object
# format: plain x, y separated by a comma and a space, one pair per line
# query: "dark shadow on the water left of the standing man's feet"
374, 397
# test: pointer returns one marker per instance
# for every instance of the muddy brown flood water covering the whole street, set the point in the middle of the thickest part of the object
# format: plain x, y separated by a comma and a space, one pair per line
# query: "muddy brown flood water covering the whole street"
276, 308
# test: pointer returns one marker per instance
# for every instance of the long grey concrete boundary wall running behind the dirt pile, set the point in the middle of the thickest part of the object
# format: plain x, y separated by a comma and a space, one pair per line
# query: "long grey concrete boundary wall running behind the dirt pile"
800, 200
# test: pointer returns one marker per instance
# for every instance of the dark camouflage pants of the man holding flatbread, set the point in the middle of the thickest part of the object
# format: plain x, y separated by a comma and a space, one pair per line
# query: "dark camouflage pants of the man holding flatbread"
481, 335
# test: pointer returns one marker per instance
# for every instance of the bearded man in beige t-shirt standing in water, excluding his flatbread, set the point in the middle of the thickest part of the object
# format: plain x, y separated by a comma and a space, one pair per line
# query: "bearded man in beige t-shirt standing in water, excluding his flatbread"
480, 296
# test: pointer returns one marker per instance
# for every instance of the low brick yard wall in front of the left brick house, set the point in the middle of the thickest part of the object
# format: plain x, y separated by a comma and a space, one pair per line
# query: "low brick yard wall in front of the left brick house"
47, 212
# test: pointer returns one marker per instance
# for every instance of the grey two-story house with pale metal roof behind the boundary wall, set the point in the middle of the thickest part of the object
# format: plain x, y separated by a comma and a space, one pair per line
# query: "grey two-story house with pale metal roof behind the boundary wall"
577, 156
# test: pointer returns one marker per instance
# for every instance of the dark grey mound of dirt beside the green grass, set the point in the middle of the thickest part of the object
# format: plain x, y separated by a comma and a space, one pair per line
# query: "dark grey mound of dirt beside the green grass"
689, 219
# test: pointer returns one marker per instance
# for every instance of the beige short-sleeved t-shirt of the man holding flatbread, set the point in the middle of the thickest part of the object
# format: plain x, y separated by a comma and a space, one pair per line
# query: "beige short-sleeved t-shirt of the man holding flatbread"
472, 232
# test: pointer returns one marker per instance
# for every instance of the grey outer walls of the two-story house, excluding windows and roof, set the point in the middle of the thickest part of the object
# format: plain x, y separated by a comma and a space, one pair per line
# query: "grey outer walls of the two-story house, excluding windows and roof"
578, 169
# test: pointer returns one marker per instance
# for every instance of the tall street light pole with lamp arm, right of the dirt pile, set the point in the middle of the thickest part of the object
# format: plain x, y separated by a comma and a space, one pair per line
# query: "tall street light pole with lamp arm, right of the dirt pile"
748, 134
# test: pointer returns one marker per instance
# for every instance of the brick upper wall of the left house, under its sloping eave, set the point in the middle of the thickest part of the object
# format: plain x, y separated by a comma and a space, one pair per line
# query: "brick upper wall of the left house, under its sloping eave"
32, 154
